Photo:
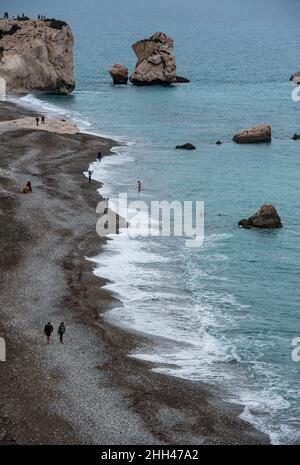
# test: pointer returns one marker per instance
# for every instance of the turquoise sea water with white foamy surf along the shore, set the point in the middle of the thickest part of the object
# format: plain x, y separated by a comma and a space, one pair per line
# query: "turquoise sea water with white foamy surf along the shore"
226, 313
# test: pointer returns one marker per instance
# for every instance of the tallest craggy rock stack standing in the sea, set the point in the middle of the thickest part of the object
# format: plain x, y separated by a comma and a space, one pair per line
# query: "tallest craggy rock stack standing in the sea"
156, 61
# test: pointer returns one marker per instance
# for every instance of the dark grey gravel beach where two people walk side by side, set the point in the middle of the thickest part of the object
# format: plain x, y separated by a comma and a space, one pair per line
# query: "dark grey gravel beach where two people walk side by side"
87, 391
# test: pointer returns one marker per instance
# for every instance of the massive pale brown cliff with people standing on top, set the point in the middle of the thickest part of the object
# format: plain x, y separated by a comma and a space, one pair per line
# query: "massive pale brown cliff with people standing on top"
36, 55
